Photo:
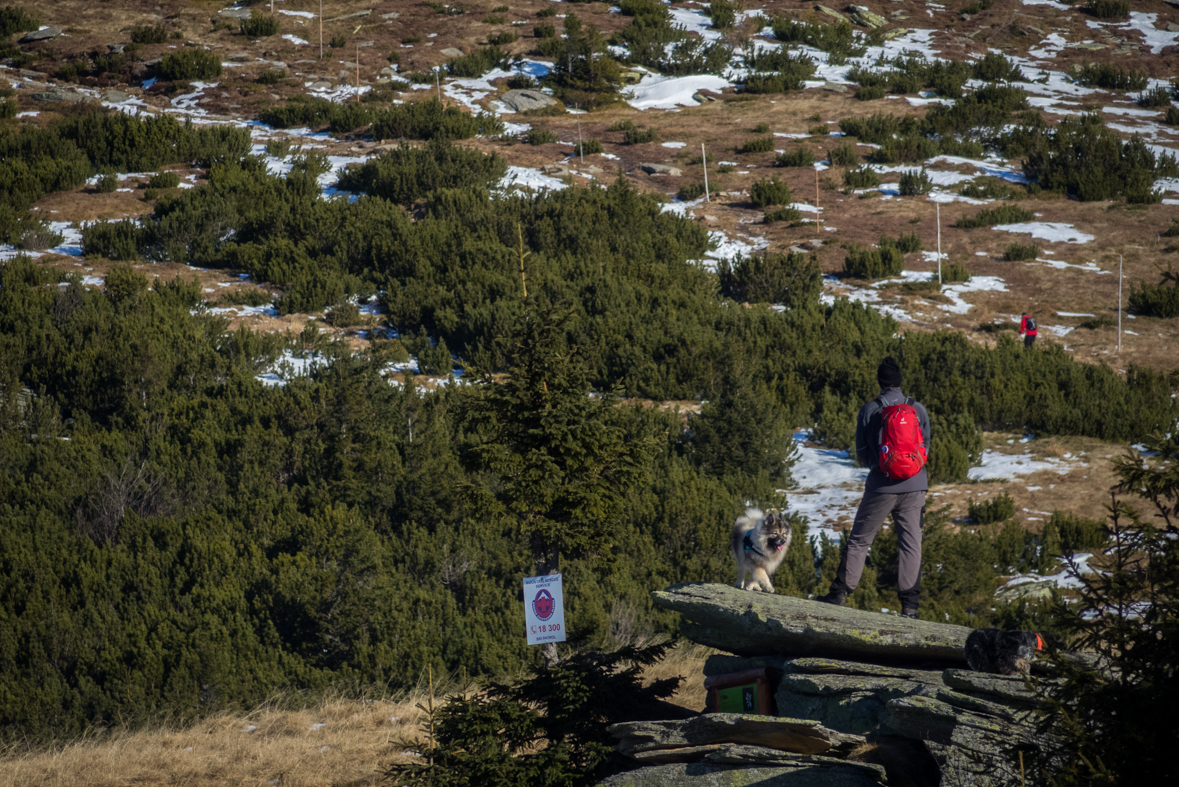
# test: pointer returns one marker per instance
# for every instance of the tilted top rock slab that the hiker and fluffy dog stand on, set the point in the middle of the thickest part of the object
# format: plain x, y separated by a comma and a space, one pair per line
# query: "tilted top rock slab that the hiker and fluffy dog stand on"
763, 625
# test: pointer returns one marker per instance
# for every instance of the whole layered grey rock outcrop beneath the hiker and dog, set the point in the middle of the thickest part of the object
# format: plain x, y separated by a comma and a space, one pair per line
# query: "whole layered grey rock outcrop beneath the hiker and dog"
864, 699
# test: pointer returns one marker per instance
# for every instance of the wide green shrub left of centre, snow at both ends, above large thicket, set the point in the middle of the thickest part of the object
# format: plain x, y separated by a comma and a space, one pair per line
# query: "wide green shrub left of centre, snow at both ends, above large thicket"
405, 175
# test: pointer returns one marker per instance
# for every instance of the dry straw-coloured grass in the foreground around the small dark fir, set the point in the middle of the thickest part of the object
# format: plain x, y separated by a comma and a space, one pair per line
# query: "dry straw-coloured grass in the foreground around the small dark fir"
338, 743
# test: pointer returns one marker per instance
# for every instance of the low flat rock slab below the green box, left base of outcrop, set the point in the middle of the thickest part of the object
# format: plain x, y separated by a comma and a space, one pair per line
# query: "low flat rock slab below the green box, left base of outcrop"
796, 736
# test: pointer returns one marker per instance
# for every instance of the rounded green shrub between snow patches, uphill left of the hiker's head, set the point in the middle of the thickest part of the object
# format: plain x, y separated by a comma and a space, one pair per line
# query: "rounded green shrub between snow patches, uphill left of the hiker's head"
792, 280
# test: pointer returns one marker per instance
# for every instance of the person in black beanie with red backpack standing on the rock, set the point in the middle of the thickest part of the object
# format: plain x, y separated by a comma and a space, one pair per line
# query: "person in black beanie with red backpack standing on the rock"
893, 441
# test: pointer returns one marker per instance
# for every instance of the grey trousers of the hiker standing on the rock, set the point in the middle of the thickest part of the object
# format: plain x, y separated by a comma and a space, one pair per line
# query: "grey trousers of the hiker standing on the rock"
875, 507
